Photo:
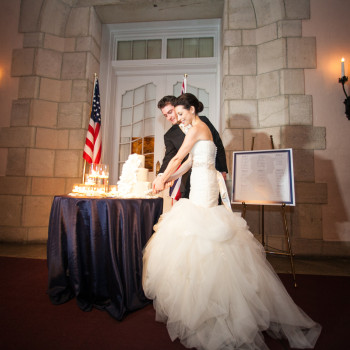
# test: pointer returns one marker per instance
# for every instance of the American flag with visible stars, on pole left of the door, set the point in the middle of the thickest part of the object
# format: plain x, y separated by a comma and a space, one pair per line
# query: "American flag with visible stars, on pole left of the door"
93, 144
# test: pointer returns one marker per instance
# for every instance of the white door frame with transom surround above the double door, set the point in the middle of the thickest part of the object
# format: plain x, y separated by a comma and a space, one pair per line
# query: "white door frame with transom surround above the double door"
111, 69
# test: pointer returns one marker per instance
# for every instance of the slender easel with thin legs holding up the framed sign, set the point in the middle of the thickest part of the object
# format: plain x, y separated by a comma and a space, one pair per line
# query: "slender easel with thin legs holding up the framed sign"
285, 226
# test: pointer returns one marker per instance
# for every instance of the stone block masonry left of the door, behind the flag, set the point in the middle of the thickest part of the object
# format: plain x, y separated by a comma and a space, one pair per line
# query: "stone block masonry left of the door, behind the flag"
44, 142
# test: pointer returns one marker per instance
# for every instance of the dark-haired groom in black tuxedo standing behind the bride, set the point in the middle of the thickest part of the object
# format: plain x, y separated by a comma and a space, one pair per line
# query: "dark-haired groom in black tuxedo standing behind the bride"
174, 137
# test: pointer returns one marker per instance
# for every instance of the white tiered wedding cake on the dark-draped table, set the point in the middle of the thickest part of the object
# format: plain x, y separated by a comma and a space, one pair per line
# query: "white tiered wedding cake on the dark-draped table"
133, 181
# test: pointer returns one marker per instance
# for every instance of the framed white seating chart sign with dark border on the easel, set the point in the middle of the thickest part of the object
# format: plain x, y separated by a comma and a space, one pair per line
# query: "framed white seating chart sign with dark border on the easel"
263, 177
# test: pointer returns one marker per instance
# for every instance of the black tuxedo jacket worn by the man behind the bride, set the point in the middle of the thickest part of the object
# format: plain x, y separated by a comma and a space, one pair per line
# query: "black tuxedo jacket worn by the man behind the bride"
173, 139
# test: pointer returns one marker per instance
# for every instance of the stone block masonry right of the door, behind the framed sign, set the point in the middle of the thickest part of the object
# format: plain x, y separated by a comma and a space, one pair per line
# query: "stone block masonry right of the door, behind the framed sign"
264, 58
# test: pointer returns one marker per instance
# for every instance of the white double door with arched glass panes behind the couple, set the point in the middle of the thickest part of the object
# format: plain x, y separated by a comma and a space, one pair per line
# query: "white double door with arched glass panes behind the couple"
164, 84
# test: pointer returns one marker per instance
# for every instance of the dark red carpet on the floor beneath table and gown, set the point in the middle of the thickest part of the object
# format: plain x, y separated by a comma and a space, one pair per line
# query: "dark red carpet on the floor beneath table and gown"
28, 320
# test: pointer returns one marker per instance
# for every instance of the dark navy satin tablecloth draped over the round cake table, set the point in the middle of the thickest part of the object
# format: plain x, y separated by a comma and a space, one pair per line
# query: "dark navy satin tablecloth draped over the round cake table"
94, 251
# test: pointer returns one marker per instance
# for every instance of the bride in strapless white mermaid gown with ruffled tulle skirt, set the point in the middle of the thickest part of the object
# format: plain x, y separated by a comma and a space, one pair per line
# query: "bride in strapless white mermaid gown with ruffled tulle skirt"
207, 275
